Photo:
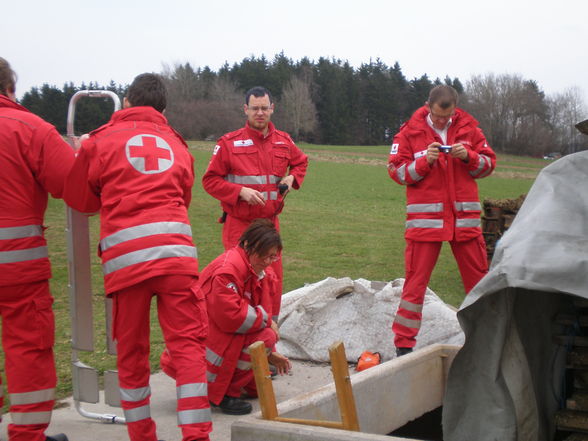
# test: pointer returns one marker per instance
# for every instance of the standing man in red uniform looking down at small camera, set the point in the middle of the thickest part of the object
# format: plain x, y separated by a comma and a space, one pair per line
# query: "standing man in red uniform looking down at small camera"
438, 154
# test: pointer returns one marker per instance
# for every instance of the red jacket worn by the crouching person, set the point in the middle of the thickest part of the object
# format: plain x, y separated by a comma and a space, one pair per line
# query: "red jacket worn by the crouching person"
238, 303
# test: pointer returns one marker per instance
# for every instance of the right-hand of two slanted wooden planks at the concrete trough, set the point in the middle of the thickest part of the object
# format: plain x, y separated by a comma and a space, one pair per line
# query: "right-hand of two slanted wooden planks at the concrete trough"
343, 387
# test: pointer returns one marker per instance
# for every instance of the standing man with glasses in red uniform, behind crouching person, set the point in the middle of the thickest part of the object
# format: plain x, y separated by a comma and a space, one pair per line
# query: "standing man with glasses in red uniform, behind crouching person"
251, 171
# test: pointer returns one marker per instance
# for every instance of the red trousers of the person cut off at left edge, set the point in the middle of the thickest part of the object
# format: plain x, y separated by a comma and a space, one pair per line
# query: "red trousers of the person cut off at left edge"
28, 333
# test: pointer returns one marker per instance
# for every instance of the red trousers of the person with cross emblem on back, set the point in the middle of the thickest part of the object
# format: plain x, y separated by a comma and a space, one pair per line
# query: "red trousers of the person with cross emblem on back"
183, 320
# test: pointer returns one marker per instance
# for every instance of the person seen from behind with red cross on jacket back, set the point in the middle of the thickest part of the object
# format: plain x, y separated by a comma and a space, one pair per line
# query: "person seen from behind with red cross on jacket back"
139, 173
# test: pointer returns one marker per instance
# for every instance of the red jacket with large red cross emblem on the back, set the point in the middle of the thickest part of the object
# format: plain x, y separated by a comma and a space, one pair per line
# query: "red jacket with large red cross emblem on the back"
139, 173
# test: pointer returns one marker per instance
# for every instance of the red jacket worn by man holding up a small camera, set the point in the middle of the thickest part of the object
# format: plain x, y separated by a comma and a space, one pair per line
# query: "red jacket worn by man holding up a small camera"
442, 199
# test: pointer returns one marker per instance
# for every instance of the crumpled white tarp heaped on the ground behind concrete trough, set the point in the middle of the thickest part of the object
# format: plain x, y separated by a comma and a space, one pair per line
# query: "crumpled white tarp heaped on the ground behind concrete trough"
359, 313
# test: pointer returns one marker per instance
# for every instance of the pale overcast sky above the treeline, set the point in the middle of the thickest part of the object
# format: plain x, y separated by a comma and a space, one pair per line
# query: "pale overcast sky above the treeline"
61, 40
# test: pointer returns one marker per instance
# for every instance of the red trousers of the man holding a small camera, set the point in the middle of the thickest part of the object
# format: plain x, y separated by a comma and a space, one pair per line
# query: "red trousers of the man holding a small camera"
420, 259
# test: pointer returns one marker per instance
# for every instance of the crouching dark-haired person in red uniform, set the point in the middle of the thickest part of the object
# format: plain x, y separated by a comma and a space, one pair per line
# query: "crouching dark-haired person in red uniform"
238, 288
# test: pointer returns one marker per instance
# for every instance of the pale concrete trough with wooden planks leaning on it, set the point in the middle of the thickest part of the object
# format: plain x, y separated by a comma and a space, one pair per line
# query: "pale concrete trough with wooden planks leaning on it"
387, 397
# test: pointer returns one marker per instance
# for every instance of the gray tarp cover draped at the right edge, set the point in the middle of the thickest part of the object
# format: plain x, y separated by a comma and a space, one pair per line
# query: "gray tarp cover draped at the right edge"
505, 383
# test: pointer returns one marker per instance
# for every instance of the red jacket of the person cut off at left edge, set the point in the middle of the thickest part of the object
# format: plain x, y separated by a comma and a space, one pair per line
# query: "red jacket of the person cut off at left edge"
34, 161
